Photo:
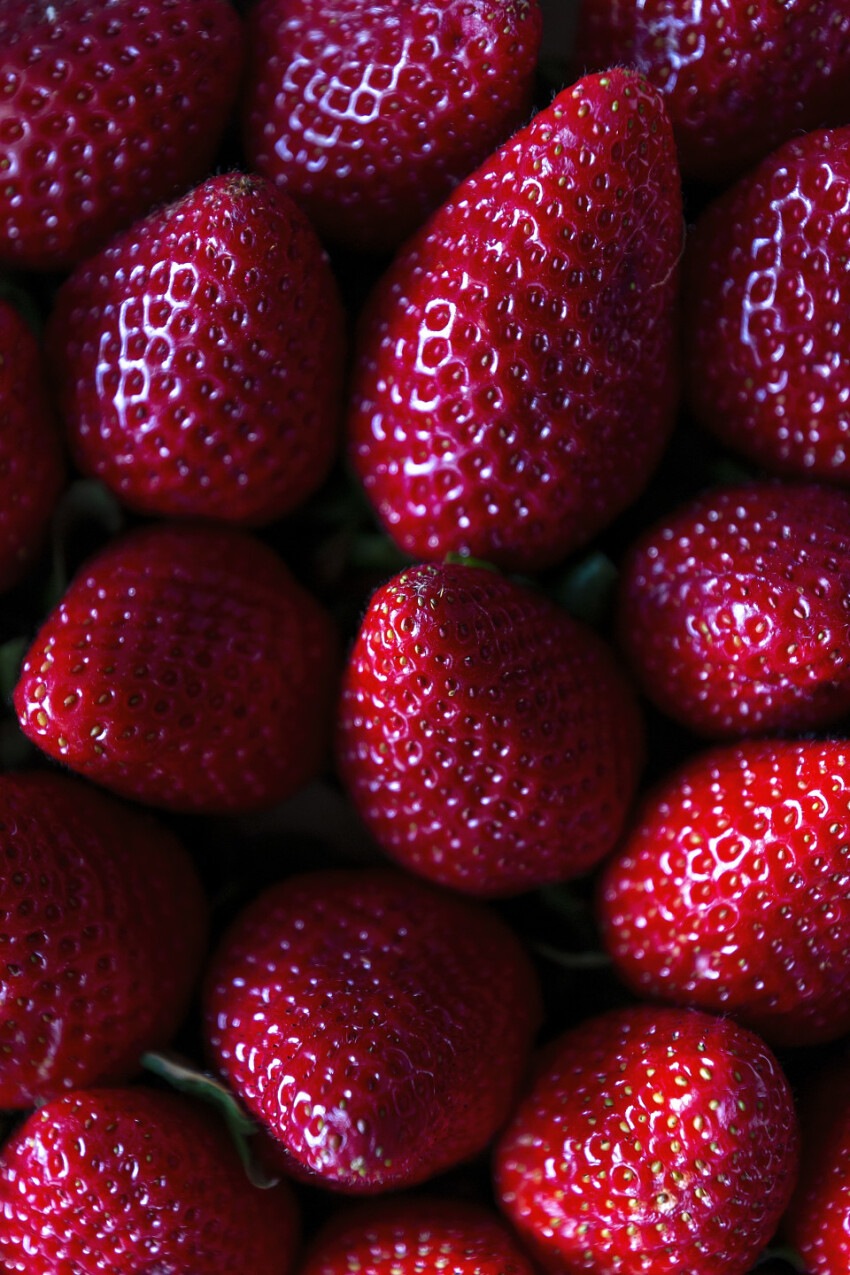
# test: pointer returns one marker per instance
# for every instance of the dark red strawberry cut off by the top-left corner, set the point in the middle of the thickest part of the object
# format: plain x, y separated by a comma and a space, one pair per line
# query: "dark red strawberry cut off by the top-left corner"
109, 108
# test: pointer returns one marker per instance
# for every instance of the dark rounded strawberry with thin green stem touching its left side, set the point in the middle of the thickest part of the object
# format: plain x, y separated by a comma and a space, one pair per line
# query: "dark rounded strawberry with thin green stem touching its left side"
378, 1028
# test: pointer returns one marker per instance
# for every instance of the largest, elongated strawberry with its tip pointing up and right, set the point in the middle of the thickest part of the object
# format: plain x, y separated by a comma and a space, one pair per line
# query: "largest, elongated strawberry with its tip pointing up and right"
523, 344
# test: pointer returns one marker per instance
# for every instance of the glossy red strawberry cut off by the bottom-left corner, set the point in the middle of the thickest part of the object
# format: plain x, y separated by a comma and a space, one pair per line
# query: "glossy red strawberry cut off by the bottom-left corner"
136, 1183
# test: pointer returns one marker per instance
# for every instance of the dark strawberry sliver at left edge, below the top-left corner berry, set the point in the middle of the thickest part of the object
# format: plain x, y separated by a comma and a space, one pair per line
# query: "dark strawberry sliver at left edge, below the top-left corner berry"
31, 461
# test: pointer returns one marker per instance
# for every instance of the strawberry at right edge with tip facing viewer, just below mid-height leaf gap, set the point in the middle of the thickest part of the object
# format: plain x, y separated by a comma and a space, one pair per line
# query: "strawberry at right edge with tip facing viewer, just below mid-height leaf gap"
736, 610
